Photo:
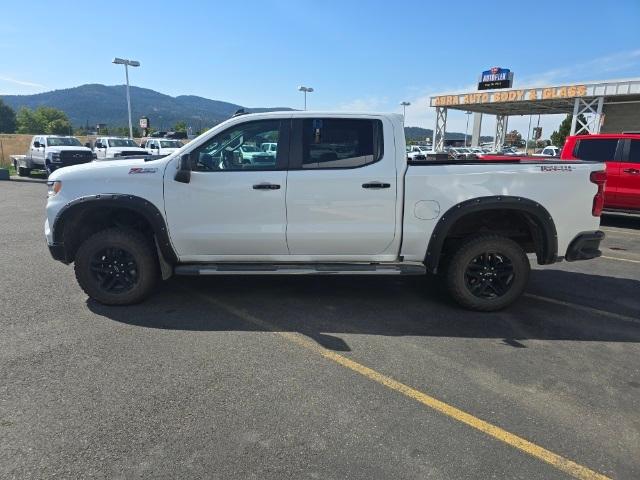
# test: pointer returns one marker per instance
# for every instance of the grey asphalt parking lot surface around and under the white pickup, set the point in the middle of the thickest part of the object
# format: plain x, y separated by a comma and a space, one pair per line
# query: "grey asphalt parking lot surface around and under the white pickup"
316, 377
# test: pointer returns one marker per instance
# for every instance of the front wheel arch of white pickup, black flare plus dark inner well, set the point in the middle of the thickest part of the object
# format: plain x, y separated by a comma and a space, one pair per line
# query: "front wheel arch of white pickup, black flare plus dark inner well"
83, 216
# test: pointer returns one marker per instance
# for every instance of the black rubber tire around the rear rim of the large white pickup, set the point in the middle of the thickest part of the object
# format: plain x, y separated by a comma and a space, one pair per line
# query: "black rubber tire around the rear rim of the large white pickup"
458, 276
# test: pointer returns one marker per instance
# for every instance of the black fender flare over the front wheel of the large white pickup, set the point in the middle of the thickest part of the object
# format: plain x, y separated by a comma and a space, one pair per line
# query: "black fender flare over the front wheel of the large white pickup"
133, 203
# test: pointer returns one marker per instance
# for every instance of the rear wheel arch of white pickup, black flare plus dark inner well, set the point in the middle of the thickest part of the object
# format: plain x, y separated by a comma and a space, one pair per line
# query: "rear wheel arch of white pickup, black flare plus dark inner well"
539, 223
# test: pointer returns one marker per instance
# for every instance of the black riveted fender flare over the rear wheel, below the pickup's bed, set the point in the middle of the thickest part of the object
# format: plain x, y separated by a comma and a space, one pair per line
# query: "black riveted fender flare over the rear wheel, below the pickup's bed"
547, 242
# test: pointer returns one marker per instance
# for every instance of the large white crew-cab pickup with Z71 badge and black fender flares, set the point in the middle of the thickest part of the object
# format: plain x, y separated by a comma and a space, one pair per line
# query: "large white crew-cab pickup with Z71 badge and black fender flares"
340, 197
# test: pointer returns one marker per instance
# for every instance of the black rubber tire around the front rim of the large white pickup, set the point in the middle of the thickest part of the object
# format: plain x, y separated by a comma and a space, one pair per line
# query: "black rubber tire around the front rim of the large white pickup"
138, 248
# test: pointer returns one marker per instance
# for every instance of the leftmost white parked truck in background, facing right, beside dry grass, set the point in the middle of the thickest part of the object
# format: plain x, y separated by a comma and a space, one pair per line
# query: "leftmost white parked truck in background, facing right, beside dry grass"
50, 152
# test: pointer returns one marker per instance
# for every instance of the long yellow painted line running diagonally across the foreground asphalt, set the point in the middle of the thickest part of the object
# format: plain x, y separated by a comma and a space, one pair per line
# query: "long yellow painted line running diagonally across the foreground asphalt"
561, 463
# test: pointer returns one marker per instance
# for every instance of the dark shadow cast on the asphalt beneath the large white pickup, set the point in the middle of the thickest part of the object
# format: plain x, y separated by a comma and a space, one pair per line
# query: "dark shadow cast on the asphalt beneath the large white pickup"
322, 308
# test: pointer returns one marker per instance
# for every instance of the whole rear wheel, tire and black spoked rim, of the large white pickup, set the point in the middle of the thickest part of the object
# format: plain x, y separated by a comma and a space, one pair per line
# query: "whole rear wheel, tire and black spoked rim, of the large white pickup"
487, 273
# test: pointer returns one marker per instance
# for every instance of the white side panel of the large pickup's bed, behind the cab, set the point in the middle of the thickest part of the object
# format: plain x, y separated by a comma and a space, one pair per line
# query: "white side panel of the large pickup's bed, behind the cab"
561, 187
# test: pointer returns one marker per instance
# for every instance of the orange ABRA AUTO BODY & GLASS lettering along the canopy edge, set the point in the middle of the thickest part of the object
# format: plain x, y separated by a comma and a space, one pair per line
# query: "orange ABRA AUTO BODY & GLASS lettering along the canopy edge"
529, 94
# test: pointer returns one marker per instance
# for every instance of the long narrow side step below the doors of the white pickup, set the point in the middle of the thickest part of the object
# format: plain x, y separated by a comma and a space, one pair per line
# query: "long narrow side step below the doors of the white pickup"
300, 269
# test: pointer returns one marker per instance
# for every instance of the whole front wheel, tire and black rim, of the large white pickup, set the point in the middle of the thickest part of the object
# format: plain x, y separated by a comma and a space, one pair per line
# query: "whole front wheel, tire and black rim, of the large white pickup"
116, 267
